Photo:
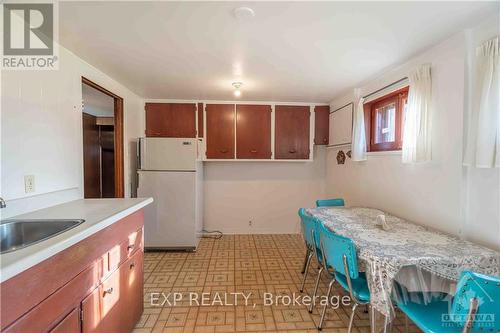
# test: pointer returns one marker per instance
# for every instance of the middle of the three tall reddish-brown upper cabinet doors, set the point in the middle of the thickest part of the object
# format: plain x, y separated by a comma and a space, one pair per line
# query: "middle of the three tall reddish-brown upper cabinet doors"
253, 131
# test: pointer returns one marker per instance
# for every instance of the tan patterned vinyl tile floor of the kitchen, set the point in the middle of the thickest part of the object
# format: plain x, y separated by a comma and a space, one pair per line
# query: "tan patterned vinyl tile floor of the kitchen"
205, 291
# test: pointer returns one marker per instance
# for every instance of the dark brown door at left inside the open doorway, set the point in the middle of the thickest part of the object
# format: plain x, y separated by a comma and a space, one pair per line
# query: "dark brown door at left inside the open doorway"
91, 157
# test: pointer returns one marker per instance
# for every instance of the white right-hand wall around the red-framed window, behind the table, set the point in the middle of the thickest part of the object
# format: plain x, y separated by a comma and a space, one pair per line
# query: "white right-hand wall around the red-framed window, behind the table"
434, 193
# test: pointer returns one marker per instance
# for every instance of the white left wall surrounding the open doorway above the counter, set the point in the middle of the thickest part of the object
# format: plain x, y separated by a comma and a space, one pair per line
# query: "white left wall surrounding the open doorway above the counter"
41, 133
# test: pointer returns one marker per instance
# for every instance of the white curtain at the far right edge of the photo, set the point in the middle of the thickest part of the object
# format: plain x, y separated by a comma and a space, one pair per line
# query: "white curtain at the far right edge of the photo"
483, 145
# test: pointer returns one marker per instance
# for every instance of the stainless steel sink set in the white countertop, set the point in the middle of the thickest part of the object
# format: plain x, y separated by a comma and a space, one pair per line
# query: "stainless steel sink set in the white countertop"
17, 234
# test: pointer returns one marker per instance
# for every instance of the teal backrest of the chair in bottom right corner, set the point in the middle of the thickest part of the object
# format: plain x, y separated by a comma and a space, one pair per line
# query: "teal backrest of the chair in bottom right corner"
486, 290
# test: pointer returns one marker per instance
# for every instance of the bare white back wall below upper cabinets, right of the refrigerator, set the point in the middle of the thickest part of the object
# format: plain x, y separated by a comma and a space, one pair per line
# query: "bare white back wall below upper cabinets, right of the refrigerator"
267, 193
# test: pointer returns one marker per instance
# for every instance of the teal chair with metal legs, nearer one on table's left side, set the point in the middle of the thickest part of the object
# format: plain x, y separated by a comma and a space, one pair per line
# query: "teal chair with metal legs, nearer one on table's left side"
341, 262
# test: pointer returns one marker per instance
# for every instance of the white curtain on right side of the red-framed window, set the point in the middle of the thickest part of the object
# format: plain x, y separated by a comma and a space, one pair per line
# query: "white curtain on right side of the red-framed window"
417, 121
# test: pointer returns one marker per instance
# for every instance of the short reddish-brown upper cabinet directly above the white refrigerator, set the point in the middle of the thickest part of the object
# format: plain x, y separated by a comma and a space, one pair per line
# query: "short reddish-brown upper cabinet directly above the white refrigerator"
172, 120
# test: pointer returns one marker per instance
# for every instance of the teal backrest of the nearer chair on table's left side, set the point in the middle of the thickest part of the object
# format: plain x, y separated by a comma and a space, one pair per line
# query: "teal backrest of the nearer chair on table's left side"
335, 247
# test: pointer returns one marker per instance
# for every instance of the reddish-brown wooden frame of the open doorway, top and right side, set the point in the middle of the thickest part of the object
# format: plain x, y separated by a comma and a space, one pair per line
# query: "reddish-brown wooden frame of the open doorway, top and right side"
118, 115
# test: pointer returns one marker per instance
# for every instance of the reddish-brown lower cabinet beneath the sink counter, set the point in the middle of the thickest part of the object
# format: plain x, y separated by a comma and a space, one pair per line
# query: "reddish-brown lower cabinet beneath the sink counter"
95, 285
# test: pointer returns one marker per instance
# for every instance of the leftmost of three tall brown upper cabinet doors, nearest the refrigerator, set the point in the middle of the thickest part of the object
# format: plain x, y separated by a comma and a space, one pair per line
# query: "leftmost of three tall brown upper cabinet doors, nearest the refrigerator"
220, 131
